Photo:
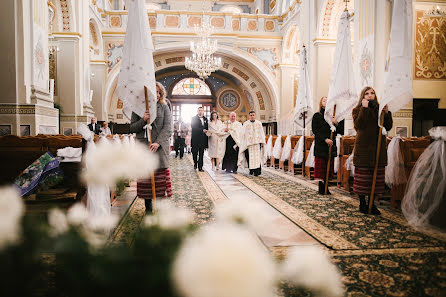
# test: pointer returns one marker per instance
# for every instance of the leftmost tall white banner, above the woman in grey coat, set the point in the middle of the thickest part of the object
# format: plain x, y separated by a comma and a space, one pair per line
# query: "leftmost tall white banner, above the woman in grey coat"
137, 69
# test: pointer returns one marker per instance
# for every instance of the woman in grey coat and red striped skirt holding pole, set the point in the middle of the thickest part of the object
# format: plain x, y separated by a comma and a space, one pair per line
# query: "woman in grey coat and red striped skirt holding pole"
161, 132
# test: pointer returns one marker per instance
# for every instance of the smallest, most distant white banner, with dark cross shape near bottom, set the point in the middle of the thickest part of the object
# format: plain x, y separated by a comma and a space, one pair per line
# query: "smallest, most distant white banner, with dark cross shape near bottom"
303, 112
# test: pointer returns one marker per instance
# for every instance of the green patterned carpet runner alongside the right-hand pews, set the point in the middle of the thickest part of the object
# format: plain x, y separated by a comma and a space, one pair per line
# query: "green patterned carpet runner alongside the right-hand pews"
342, 219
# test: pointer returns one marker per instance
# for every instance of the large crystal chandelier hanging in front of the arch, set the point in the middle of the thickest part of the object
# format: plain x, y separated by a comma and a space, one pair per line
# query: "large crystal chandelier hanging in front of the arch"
202, 60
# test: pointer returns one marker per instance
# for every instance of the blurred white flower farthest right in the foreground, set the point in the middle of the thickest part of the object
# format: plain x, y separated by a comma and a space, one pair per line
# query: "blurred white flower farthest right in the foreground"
311, 268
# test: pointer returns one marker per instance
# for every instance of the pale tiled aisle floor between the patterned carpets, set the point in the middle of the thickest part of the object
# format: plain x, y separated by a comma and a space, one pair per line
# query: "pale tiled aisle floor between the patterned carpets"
281, 231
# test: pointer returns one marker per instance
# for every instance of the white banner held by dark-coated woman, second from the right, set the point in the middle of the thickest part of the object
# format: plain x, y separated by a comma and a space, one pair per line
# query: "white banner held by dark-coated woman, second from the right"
342, 91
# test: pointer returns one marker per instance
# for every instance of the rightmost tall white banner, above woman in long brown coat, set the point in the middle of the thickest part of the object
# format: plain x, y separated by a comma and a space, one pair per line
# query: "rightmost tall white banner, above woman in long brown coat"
398, 89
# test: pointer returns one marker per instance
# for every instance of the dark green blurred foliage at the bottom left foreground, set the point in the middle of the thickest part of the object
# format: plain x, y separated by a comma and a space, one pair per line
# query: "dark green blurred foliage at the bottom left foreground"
67, 265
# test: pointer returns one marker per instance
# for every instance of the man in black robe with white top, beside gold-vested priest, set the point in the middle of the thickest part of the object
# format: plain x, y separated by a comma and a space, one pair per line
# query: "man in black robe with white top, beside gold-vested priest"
234, 133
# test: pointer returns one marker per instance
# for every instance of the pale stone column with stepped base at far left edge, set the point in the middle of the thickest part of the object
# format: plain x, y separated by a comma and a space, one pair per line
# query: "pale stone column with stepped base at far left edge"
26, 107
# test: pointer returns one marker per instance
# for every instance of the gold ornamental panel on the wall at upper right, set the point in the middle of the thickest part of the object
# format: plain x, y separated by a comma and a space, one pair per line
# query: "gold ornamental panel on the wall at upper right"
430, 46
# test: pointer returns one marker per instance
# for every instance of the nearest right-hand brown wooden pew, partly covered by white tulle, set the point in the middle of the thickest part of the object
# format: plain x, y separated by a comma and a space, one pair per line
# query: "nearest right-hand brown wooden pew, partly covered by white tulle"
411, 149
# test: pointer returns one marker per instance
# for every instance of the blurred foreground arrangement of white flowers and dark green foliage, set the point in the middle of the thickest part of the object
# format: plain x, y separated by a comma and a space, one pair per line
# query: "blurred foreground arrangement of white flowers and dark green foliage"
69, 253
